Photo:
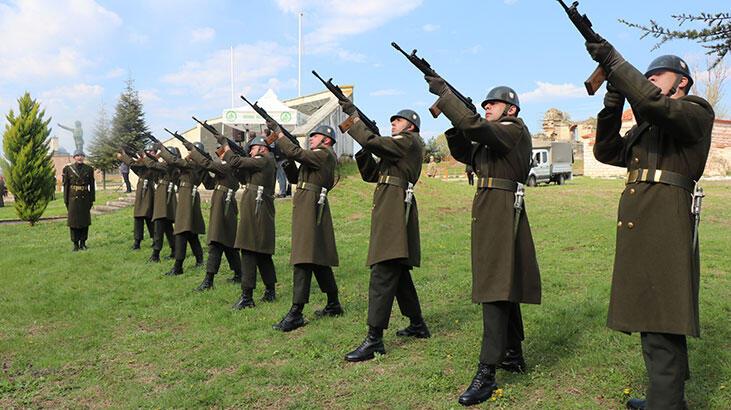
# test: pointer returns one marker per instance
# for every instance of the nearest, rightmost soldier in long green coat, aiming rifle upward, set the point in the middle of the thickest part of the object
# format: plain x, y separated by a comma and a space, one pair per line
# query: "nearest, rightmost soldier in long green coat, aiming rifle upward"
656, 266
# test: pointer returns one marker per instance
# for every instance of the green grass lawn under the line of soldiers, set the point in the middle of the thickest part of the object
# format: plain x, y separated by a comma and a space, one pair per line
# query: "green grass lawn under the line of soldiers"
103, 328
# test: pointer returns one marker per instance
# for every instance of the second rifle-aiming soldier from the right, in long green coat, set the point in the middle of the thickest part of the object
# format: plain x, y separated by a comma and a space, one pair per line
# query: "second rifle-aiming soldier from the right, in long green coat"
504, 268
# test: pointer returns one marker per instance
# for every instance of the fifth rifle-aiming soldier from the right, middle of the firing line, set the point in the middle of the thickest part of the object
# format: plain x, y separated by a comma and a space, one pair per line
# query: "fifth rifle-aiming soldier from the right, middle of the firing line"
255, 233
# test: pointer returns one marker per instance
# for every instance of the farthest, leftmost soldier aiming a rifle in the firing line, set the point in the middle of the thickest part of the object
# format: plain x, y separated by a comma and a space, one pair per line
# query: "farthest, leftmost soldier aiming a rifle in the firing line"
144, 194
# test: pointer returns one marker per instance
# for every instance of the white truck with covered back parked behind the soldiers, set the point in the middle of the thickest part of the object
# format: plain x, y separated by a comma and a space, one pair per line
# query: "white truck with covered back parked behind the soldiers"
551, 164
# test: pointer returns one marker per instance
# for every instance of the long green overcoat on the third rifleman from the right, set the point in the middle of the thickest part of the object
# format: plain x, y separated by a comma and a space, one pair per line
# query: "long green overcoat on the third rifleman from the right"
401, 157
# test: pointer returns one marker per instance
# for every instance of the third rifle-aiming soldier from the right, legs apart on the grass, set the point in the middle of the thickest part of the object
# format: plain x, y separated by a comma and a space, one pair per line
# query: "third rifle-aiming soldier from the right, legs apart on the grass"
394, 247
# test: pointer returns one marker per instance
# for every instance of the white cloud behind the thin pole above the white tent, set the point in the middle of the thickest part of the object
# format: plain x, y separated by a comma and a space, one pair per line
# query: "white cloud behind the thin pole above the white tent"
210, 78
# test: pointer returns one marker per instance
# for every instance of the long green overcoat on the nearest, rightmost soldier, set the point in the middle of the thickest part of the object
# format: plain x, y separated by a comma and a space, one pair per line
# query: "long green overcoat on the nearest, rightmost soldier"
656, 267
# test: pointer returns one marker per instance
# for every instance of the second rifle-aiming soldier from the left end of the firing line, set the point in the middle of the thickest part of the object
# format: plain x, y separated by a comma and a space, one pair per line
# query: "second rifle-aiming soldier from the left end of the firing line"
164, 203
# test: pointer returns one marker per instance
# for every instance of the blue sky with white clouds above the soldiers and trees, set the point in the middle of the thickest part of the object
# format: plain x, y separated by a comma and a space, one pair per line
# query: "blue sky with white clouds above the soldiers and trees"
75, 55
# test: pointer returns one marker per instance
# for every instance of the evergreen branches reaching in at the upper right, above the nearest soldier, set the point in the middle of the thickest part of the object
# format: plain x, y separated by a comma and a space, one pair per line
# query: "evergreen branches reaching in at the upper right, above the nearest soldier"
716, 36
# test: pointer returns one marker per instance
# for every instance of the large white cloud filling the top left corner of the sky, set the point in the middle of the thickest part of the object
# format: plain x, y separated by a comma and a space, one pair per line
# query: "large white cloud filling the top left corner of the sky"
50, 39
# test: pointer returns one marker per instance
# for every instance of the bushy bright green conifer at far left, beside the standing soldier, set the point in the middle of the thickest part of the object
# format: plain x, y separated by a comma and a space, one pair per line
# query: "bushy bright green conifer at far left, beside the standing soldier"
27, 164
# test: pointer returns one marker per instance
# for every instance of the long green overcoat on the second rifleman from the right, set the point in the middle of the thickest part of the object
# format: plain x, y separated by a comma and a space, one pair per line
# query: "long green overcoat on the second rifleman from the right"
504, 265
